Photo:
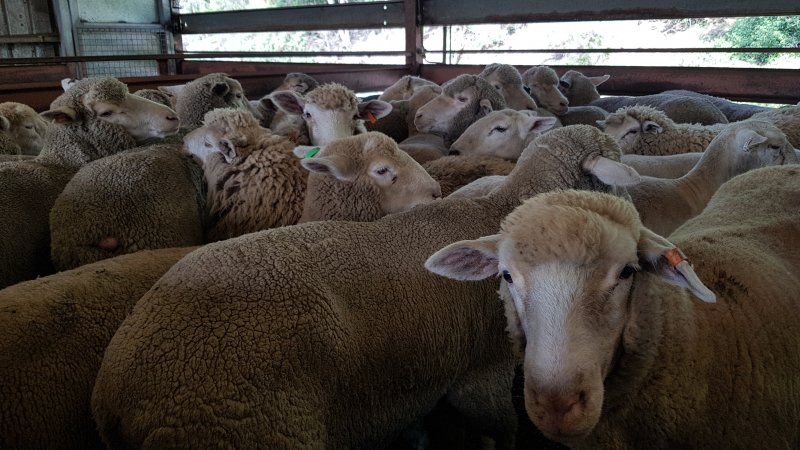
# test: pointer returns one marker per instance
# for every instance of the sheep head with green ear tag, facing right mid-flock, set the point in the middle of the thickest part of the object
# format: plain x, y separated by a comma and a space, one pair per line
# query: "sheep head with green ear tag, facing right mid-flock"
377, 169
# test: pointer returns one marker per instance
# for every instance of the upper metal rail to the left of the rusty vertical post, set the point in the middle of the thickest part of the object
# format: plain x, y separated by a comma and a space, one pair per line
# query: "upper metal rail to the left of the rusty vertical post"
305, 18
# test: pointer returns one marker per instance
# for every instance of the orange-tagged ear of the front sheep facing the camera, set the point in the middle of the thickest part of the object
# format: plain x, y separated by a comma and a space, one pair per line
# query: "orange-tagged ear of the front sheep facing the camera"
661, 257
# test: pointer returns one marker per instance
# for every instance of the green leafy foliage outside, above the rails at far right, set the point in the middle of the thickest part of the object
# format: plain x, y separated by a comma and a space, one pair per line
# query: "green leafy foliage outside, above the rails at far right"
779, 31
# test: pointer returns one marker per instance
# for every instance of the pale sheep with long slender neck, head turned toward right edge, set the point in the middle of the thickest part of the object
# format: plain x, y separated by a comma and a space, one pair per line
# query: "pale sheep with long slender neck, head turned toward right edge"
664, 205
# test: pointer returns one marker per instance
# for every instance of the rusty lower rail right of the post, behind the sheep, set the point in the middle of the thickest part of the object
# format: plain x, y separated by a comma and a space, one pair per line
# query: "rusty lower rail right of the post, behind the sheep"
758, 85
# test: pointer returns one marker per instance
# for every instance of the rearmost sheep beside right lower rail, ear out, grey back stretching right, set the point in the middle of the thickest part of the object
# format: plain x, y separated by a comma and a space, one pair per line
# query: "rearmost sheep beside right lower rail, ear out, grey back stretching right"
681, 109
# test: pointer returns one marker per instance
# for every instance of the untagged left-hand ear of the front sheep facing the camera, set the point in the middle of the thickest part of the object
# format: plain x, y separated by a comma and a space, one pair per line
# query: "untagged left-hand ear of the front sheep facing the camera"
466, 260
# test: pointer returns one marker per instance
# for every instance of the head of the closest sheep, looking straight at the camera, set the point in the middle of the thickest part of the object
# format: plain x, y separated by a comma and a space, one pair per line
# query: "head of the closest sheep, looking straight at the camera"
568, 261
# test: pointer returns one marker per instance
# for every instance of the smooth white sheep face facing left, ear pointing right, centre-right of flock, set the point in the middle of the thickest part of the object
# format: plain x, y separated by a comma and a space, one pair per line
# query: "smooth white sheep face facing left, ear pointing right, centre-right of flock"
502, 133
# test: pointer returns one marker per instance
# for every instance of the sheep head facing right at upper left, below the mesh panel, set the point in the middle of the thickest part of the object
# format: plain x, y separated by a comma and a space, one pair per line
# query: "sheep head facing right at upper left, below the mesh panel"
107, 99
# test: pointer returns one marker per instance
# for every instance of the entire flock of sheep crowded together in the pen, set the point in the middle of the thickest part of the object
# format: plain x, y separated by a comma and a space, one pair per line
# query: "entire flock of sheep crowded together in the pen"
187, 268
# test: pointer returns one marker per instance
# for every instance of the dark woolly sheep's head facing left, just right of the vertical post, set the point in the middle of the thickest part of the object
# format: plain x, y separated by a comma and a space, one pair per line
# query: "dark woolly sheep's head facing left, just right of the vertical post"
463, 100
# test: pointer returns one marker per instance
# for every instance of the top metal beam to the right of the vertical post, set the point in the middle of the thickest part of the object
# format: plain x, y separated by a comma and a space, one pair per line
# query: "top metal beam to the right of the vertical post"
444, 12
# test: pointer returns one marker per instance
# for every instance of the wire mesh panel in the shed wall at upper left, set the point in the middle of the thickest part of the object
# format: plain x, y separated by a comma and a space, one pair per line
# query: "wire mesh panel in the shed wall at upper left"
121, 40
